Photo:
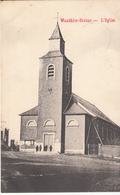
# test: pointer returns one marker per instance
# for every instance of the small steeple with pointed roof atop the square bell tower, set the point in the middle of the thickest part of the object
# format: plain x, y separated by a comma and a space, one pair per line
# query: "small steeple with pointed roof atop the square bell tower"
57, 42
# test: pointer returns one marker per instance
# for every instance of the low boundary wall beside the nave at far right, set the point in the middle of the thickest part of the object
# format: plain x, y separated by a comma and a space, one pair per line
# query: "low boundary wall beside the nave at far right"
109, 150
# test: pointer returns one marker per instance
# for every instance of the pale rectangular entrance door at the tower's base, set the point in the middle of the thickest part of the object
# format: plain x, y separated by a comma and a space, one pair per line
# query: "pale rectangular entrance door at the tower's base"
48, 142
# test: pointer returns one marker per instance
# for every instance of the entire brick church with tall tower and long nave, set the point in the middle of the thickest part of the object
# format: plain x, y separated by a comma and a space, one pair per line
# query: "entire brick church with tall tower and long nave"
63, 122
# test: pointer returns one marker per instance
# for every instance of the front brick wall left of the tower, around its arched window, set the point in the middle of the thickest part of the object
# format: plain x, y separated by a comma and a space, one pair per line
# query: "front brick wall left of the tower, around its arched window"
28, 132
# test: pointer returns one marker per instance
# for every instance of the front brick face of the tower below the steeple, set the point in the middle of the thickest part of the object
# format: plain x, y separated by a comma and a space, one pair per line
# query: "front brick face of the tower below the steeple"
50, 102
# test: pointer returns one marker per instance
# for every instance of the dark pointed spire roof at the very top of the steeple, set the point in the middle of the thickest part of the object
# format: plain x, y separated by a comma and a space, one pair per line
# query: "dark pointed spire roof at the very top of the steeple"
56, 33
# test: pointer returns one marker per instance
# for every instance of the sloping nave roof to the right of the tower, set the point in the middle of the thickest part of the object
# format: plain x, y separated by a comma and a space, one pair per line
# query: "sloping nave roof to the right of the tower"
78, 105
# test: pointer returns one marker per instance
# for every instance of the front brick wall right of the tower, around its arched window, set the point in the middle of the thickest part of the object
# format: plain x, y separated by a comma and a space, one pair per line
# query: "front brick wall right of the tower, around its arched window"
75, 136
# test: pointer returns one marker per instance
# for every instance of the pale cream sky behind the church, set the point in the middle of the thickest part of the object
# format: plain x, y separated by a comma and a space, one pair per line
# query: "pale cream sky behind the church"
93, 47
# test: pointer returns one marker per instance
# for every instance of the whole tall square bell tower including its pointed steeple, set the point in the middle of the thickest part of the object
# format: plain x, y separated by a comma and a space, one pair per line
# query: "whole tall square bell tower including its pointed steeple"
55, 86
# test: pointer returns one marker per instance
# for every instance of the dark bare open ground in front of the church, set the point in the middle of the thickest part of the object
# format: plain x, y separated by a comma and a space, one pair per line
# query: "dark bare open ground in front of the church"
35, 172
